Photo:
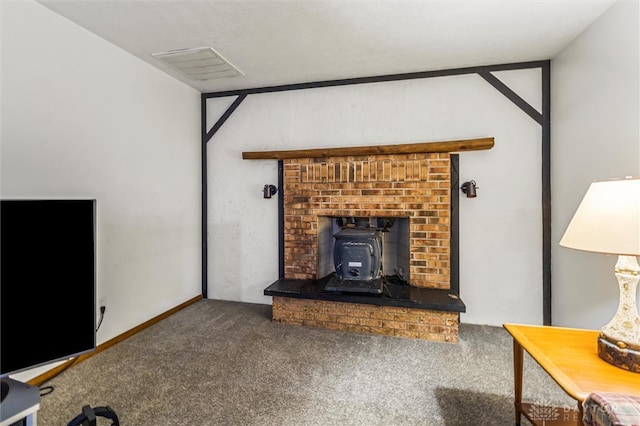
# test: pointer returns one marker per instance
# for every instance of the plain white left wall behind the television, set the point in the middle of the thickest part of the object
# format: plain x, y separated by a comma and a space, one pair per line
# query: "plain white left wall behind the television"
82, 118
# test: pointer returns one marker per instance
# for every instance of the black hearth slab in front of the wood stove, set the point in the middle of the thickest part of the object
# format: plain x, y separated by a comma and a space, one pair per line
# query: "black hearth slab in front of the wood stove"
394, 295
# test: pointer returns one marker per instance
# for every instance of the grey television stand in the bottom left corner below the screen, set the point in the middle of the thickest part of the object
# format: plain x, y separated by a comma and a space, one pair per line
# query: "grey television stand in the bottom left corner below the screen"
20, 403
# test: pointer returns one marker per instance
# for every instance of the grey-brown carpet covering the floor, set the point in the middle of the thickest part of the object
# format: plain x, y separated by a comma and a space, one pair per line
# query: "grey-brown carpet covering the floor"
226, 363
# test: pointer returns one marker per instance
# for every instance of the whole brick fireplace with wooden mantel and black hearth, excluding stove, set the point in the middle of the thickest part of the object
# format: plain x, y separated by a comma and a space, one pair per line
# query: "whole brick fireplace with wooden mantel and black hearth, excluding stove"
409, 182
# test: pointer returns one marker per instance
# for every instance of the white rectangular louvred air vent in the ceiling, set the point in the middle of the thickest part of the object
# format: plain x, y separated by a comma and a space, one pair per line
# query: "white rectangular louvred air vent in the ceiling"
200, 63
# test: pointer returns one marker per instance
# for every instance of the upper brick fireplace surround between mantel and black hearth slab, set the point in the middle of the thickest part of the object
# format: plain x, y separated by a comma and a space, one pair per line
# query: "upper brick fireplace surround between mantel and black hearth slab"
416, 186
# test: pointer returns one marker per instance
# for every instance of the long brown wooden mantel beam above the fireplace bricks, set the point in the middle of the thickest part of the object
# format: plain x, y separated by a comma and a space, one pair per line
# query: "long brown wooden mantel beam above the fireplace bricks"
411, 148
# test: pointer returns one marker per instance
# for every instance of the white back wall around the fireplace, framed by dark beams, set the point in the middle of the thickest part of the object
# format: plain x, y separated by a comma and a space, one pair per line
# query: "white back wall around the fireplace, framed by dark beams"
501, 229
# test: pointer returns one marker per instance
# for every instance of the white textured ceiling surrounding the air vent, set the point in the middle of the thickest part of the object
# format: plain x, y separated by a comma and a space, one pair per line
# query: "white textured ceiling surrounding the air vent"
283, 42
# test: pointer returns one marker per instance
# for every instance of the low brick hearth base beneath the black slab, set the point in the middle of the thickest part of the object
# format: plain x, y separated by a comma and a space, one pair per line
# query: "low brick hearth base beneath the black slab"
431, 325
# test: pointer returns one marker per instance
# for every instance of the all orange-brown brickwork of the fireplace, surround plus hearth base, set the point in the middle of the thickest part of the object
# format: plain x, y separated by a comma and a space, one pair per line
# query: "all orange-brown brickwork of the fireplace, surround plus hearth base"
413, 186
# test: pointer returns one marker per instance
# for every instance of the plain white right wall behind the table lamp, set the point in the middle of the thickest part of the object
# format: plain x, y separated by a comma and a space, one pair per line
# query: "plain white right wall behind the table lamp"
595, 135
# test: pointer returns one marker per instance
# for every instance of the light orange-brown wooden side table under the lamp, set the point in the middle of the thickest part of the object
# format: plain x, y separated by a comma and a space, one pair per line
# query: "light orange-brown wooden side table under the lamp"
571, 358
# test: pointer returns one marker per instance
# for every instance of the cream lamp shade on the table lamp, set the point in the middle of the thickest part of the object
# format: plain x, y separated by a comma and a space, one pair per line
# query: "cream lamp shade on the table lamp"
608, 219
